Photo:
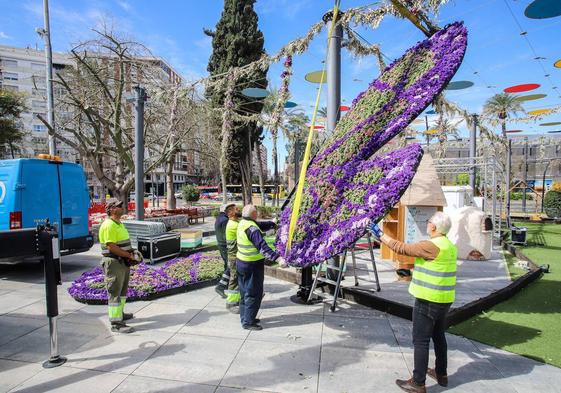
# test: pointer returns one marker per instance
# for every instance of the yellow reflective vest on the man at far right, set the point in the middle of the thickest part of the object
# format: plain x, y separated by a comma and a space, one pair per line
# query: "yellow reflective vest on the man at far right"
435, 280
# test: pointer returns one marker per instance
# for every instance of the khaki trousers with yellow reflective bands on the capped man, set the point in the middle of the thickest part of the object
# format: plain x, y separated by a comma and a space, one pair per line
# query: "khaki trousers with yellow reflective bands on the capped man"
117, 282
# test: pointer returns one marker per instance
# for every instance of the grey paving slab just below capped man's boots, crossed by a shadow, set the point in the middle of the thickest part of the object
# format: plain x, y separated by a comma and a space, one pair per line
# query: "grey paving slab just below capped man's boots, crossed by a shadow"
118, 352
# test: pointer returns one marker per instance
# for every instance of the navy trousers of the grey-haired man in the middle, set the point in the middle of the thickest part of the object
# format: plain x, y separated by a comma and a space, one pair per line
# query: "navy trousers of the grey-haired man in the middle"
250, 281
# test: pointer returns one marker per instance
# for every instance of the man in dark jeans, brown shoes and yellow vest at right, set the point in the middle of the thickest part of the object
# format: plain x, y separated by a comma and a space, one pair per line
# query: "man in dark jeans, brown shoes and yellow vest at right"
433, 285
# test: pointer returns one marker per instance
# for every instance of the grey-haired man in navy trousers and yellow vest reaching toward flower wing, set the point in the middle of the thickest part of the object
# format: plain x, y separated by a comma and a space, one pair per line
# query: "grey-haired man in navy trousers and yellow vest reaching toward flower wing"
251, 255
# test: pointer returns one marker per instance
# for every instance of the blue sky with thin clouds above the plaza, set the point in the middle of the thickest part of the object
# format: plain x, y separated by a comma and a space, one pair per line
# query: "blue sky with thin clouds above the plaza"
497, 55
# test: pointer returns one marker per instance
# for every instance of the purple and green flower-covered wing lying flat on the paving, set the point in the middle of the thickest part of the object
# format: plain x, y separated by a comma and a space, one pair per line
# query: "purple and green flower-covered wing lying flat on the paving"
147, 282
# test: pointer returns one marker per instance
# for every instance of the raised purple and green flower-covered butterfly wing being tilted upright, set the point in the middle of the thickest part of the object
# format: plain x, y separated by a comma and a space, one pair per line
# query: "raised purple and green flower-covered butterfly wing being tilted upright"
345, 188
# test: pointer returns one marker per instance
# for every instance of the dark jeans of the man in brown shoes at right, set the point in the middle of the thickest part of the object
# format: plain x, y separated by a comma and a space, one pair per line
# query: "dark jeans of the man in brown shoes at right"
429, 321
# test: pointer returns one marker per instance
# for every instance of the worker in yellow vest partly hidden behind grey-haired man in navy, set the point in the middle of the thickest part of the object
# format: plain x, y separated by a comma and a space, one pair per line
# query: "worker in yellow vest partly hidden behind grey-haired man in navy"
232, 293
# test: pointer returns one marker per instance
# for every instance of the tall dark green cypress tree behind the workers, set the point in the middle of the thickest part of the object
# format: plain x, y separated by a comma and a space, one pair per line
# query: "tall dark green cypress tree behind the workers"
237, 41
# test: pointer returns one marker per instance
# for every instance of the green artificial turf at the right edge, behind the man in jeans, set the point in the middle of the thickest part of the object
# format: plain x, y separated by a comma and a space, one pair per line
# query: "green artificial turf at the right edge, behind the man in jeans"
529, 323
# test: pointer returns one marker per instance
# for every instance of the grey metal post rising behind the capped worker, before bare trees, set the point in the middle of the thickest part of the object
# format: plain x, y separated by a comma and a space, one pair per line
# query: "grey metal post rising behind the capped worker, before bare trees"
139, 152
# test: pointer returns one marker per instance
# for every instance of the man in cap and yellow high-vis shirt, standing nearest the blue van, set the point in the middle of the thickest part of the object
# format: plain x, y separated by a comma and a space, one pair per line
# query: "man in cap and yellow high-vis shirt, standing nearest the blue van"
116, 251
